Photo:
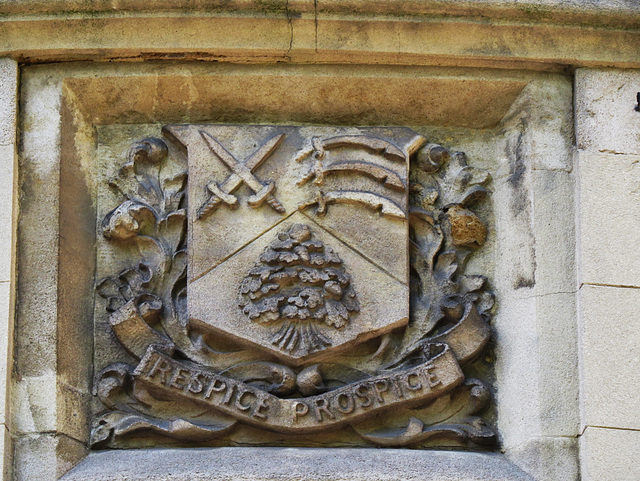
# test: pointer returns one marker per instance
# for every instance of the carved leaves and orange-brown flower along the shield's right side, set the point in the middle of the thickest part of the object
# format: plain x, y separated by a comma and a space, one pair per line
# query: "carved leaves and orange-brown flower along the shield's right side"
444, 232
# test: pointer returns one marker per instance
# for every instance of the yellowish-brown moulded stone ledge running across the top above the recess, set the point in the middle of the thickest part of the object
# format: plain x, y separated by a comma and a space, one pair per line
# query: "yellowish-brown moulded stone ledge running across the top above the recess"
301, 33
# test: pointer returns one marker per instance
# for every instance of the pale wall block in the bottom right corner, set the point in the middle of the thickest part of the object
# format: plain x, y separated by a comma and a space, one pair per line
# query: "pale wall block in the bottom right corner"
609, 454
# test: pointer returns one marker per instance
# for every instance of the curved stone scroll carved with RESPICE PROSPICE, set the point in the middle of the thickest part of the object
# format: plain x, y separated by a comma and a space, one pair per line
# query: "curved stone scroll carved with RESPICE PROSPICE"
414, 386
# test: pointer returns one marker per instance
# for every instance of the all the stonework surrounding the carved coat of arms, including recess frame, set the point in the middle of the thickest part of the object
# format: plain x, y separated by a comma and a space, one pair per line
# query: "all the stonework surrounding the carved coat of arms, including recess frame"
542, 94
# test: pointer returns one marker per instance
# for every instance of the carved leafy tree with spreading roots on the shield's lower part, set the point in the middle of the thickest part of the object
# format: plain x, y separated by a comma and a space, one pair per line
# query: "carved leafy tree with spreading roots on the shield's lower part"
303, 283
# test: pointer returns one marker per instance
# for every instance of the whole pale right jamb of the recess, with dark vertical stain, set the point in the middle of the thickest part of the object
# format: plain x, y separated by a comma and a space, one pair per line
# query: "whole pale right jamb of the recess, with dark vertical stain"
535, 274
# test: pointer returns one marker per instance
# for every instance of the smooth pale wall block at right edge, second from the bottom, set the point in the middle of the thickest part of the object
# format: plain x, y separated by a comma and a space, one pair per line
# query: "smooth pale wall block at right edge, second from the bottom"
610, 370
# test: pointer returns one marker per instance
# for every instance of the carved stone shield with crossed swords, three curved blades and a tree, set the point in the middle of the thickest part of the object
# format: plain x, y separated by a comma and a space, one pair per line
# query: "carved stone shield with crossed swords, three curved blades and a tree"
298, 237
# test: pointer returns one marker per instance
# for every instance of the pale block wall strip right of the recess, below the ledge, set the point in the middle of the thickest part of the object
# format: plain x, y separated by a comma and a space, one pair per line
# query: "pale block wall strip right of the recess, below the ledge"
606, 152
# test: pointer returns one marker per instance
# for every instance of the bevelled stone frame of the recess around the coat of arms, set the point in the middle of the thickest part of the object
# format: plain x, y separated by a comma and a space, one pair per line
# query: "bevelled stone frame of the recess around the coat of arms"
528, 116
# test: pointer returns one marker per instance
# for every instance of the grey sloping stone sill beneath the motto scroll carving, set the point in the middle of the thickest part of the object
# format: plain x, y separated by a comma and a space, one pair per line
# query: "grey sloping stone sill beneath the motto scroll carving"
257, 464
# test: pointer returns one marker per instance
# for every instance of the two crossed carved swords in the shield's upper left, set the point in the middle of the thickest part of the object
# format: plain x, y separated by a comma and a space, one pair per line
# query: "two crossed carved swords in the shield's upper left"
242, 172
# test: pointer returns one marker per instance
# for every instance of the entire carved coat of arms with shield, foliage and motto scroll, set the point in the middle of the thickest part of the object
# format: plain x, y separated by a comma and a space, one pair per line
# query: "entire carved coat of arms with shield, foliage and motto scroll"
286, 281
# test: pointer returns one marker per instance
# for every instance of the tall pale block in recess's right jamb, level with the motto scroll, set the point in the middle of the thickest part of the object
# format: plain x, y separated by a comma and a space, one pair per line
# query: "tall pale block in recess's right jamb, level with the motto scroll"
536, 368
